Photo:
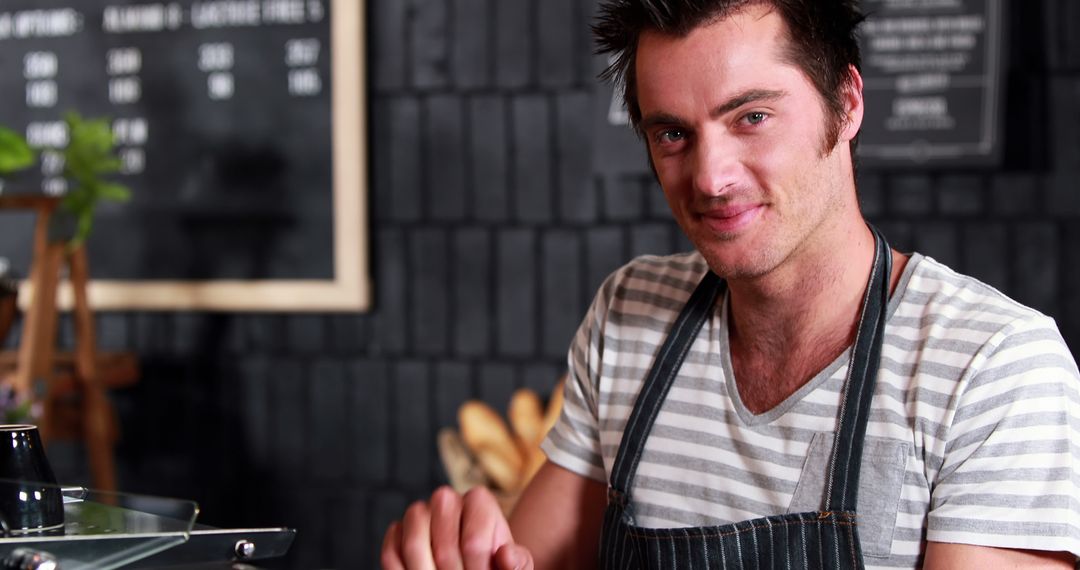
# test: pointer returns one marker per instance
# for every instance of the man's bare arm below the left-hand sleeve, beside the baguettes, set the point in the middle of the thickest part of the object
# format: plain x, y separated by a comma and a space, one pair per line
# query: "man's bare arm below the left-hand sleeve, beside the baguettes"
559, 519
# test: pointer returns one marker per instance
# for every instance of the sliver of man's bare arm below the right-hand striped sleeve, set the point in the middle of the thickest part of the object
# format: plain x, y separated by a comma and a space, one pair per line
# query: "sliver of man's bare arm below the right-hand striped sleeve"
943, 555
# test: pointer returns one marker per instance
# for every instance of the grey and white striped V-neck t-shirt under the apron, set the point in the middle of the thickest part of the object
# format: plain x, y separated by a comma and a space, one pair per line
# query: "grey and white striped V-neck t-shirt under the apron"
974, 437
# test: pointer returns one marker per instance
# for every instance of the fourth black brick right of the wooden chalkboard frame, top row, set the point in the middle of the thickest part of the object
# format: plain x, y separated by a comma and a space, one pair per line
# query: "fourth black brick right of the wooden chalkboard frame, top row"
514, 43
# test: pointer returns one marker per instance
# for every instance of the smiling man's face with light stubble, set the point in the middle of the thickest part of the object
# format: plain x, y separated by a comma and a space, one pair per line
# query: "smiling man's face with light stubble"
736, 135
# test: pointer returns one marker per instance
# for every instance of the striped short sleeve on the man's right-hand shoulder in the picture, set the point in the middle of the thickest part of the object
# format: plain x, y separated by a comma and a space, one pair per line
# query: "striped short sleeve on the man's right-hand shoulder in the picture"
1010, 476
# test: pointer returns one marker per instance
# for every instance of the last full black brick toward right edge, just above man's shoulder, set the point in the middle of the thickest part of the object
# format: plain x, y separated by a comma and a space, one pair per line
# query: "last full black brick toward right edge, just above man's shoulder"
1036, 269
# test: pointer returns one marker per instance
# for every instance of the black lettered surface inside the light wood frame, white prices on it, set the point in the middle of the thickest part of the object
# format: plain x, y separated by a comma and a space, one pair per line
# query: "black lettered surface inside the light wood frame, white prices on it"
221, 113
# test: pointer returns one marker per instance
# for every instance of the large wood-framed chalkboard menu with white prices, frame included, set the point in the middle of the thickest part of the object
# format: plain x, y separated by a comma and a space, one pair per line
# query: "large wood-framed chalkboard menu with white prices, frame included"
240, 127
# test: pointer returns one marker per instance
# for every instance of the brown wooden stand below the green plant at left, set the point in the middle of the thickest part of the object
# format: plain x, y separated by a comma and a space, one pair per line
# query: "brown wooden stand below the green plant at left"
75, 403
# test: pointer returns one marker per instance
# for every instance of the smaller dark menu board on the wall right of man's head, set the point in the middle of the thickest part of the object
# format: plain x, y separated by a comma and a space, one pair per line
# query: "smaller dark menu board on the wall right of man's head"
933, 83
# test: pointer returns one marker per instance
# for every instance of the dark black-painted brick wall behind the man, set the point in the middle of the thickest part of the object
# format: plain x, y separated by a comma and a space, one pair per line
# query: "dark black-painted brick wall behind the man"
490, 236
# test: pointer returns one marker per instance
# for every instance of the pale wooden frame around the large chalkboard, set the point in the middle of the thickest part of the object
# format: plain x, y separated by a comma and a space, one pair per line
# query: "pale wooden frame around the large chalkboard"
350, 288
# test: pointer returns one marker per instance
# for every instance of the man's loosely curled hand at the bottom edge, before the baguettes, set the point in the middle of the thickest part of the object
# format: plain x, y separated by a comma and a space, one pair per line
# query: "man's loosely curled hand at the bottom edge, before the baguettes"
456, 533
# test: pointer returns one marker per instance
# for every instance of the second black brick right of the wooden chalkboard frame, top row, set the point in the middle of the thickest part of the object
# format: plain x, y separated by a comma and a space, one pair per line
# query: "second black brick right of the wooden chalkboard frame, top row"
428, 32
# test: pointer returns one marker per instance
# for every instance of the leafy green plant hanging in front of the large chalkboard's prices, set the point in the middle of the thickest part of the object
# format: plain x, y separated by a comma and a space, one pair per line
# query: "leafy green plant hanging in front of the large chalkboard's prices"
88, 157
